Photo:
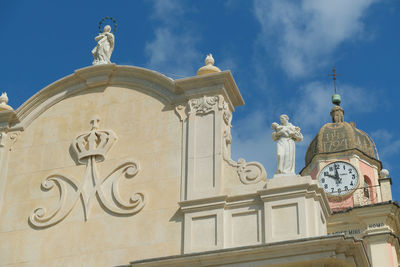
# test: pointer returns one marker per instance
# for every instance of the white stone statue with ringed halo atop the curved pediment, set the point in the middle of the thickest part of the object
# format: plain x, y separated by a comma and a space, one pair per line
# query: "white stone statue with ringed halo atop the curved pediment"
104, 48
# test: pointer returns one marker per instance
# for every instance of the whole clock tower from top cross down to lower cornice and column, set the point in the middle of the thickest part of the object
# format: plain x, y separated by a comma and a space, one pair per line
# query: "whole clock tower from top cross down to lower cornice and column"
345, 163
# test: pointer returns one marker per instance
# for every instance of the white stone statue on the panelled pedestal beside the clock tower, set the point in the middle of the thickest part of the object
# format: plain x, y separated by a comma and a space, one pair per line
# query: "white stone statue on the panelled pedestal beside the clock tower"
286, 134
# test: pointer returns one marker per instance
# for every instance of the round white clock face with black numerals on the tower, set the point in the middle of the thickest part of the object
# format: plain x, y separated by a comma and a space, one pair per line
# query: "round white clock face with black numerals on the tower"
338, 178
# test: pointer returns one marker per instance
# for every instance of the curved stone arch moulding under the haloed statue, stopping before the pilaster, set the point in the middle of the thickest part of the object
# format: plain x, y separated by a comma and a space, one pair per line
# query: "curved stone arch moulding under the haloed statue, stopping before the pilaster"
95, 77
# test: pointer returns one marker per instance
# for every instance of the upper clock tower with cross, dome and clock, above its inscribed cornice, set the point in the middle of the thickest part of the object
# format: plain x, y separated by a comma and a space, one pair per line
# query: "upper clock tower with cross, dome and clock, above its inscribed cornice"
345, 162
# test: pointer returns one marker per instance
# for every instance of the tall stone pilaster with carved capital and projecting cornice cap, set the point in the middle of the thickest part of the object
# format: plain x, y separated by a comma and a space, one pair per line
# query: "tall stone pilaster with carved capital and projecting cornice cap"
210, 101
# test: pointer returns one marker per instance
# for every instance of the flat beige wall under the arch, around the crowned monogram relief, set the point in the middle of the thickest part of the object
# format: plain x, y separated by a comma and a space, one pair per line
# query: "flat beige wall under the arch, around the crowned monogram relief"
148, 131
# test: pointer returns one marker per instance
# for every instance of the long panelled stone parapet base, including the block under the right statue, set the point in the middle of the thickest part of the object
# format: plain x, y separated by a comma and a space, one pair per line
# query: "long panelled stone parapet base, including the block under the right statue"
291, 207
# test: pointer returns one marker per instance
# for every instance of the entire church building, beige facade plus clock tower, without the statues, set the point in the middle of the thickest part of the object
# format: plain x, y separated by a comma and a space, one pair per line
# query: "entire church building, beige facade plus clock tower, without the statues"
122, 166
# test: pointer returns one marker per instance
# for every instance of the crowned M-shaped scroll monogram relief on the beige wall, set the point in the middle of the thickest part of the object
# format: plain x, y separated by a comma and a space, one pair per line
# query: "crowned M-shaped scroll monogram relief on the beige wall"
90, 149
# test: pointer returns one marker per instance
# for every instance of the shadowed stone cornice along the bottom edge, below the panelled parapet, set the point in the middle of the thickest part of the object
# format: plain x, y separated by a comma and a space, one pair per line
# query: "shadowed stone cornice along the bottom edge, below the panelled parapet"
326, 249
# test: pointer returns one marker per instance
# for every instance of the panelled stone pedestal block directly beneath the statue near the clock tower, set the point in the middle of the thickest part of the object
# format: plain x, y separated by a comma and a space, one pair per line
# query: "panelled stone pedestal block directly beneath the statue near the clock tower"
294, 207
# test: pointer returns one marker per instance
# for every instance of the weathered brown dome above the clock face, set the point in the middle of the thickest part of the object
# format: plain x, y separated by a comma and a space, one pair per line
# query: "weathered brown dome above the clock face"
339, 136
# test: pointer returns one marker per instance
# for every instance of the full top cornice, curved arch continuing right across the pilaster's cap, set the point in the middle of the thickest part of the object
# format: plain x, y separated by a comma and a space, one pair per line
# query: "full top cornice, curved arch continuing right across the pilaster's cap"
98, 77
